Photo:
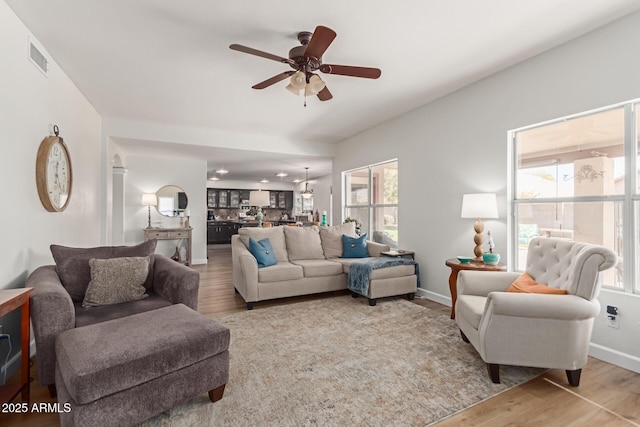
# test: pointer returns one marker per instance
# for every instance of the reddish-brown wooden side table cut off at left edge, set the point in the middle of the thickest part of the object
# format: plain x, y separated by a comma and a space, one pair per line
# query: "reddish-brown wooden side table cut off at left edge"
11, 299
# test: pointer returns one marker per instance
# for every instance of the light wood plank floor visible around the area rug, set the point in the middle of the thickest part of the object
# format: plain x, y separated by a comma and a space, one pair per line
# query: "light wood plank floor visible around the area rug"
607, 396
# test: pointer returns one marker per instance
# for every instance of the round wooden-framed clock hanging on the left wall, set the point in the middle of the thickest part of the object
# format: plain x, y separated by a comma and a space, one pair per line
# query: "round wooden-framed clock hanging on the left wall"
53, 173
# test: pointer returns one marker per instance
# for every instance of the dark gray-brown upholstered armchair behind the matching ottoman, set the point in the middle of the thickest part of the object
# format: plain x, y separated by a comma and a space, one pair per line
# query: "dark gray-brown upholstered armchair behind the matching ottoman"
58, 292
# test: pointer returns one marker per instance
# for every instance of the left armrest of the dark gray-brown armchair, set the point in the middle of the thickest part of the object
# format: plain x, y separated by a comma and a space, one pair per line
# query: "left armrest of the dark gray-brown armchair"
52, 312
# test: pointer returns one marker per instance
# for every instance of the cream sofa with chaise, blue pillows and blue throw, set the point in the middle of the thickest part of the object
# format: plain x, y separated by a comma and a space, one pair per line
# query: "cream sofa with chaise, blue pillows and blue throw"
308, 262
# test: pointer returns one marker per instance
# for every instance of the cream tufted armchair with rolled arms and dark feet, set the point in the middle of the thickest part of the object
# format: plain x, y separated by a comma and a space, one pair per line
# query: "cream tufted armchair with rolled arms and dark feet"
536, 330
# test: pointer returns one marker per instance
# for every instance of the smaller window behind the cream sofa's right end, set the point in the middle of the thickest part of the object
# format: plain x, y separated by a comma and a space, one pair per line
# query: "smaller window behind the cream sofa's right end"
371, 198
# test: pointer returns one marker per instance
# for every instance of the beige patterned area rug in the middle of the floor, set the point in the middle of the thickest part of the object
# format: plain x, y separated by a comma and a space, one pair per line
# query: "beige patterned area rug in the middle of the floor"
337, 361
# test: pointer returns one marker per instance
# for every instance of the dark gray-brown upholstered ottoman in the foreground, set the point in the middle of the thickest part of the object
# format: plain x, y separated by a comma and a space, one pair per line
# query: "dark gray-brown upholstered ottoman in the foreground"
126, 370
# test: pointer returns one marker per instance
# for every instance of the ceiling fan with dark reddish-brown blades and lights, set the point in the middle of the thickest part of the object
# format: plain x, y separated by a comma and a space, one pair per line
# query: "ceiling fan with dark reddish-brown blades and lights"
306, 60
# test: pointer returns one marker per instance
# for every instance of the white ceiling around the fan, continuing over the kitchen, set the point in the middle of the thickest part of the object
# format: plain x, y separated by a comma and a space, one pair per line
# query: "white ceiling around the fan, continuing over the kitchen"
168, 61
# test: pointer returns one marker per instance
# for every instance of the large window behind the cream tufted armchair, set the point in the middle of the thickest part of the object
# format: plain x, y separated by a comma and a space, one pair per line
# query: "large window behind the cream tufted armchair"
570, 180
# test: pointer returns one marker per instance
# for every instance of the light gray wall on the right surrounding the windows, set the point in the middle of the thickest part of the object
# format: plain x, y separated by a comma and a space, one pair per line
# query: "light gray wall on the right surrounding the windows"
458, 144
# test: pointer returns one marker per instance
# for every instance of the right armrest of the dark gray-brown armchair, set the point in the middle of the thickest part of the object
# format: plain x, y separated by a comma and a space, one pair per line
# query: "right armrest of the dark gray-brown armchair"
175, 282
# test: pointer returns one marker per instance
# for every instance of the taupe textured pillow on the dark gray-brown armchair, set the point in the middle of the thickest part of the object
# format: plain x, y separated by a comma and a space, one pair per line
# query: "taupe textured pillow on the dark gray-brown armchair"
116, 280
